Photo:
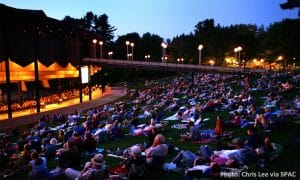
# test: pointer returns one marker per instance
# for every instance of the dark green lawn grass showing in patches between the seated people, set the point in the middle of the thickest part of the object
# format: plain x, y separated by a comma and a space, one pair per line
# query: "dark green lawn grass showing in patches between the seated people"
287, 161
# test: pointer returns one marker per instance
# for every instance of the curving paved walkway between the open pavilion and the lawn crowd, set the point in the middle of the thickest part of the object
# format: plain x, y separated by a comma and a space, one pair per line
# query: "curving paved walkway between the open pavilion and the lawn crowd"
68, 107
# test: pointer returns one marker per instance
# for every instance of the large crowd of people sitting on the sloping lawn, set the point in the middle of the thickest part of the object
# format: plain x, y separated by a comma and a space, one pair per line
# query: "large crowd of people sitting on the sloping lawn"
75, 139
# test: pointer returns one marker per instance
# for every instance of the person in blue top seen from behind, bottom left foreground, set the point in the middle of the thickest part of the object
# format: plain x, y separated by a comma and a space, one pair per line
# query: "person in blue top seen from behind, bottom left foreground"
38, 166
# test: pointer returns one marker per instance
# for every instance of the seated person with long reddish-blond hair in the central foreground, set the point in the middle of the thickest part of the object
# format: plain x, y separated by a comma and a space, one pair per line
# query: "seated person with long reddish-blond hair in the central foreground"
156, 154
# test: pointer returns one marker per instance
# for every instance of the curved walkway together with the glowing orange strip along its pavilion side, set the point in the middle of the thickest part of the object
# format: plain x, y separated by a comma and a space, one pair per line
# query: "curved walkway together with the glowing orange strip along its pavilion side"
27, 117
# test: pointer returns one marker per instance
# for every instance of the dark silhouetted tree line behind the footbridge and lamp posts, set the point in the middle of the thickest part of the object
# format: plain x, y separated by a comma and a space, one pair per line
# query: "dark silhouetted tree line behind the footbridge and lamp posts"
279, 39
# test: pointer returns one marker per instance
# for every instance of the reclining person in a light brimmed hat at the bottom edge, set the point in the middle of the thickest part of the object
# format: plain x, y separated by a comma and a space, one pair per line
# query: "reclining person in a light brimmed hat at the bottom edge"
94, 169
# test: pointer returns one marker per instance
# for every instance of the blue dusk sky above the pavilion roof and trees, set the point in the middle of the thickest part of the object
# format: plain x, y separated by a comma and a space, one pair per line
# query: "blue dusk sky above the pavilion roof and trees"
166, 18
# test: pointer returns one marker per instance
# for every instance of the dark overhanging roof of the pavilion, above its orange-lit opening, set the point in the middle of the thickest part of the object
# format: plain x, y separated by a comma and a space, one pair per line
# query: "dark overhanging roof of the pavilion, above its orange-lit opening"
26, 35
